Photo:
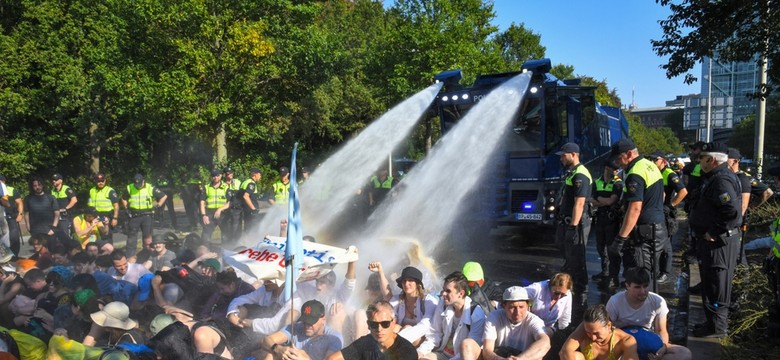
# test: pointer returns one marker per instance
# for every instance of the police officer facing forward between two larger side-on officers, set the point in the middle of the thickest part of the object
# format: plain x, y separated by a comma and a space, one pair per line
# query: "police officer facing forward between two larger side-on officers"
607, 191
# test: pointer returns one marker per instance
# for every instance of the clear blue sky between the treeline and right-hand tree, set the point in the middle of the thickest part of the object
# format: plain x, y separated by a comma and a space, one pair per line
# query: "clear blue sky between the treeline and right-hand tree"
606, 39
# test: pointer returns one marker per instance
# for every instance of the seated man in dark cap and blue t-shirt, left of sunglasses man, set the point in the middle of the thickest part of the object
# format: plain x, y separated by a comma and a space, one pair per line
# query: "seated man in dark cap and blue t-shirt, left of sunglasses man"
310, 338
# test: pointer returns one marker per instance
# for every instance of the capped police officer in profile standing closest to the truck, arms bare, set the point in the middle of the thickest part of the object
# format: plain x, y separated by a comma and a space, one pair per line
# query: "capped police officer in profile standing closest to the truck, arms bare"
574, 224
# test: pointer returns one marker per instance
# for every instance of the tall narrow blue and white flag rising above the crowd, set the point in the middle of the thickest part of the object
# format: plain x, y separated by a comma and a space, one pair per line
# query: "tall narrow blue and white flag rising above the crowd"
293, 251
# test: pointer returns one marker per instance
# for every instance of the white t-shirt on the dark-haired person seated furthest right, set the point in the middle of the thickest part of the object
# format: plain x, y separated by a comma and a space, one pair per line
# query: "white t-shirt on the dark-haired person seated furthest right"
622, 314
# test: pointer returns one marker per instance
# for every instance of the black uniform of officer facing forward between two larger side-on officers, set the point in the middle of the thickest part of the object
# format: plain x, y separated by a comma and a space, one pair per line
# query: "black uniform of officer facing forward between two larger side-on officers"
607, 224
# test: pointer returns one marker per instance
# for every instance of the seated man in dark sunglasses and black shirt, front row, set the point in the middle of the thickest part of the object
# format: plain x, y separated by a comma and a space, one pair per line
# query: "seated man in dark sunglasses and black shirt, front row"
382, 343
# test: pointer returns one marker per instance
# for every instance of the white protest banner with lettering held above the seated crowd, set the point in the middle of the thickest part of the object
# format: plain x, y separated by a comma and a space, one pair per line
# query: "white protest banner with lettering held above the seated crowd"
265, 260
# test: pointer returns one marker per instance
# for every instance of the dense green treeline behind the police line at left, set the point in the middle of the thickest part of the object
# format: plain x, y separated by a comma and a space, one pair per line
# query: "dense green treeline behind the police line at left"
125, 86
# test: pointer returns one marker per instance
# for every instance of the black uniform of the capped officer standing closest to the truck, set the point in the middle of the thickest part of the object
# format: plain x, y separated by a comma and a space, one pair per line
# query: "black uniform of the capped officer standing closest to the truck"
573, 238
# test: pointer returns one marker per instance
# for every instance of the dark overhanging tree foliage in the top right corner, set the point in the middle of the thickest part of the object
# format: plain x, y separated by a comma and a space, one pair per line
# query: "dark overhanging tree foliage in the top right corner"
734, 30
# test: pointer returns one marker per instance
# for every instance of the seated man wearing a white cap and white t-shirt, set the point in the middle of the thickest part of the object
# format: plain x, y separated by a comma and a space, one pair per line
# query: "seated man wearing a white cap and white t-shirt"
512, 331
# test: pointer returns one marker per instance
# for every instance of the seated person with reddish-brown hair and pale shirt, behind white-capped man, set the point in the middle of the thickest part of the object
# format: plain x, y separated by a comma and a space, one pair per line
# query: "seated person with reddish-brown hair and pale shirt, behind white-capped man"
551, 301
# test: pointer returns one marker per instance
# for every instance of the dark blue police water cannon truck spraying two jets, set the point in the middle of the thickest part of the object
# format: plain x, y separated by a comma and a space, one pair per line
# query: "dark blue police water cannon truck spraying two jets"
523, 184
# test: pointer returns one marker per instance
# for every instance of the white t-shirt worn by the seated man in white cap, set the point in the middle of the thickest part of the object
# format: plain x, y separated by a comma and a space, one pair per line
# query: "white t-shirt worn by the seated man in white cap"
519, 336
